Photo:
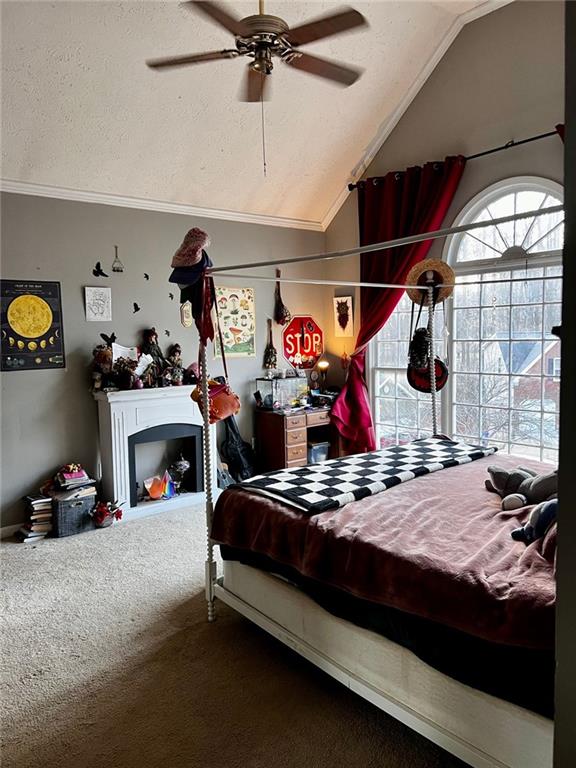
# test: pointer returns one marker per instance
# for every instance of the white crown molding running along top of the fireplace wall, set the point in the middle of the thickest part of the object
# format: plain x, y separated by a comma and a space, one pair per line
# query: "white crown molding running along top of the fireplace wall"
101, 198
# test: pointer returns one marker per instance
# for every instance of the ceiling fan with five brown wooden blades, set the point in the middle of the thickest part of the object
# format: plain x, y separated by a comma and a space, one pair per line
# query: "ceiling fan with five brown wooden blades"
262, 37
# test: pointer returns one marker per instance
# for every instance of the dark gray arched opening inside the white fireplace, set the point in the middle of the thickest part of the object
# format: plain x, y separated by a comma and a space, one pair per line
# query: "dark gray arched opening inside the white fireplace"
180, 439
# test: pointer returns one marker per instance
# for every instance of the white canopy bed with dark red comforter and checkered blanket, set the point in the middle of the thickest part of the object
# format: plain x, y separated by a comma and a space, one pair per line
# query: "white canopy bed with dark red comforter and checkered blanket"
416, 598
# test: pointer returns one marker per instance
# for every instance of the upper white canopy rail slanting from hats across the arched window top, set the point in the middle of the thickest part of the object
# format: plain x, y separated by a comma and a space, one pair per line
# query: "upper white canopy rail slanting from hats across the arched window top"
389, 243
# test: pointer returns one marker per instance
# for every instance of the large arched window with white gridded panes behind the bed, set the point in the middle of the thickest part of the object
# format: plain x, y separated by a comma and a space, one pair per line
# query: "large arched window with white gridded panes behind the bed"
504, 387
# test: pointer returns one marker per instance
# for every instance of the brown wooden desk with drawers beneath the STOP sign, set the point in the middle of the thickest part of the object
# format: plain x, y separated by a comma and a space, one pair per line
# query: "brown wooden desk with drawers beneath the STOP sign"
282, 438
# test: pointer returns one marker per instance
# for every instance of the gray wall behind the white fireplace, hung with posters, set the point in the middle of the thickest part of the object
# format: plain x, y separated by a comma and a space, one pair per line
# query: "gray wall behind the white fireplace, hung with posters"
49, 417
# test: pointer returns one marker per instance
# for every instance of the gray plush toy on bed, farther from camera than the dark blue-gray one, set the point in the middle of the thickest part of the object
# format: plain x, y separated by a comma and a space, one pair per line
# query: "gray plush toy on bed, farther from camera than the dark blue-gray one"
521, 486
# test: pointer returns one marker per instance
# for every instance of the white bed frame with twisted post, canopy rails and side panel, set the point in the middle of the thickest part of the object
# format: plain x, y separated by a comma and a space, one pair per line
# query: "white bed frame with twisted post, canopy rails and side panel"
482, 730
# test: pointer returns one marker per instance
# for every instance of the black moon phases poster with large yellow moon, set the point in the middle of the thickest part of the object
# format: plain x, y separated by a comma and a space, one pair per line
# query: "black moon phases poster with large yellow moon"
31, 325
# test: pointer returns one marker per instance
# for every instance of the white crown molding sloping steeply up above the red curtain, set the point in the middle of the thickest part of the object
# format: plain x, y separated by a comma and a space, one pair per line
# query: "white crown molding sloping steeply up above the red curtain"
392, 121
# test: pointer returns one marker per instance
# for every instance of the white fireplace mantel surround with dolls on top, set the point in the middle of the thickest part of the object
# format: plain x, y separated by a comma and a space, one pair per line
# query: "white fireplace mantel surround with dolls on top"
125, 413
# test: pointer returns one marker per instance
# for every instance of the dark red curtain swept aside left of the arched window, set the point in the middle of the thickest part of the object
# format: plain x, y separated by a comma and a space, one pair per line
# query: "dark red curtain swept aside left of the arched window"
396, 205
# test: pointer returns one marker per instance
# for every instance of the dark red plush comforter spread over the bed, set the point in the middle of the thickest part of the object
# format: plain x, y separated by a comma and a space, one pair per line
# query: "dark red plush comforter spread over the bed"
438, 546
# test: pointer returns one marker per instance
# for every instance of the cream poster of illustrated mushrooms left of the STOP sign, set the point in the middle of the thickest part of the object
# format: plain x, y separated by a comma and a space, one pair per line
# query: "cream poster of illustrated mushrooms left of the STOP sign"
237, 321
